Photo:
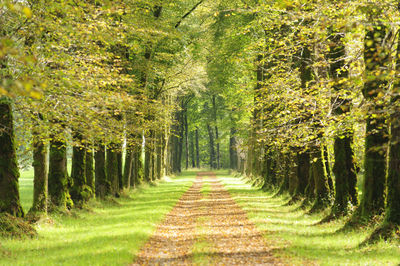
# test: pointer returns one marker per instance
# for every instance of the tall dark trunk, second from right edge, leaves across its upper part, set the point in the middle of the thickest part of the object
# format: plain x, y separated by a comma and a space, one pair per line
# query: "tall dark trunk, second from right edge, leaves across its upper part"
376, 141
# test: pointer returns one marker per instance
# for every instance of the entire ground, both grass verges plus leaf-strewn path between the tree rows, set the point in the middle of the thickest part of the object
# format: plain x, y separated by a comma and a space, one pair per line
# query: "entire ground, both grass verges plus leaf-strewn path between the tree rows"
193, 219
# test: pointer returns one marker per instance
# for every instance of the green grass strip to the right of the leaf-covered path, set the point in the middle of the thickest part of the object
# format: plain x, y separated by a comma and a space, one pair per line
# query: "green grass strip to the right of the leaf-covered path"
294, 235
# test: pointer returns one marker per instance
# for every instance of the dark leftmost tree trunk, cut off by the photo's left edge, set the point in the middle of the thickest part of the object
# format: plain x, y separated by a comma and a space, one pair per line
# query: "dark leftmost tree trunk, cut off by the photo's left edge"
9, 172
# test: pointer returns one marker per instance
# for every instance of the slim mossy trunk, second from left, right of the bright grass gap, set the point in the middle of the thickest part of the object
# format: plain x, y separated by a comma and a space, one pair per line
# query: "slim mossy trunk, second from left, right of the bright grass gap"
40, 181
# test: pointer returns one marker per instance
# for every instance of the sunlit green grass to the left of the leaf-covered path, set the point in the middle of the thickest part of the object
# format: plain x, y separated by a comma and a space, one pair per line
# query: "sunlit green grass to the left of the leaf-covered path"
109, 234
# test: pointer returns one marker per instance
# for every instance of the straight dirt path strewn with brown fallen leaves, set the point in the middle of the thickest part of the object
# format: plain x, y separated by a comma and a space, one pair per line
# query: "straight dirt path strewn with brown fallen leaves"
206, 227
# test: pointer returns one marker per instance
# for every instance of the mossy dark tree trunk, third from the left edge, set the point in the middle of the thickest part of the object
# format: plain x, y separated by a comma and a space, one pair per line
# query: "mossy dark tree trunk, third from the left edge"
58, 176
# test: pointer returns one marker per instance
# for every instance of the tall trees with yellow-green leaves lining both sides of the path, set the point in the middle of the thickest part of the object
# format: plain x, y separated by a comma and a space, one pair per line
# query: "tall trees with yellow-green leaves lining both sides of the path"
300, 95
